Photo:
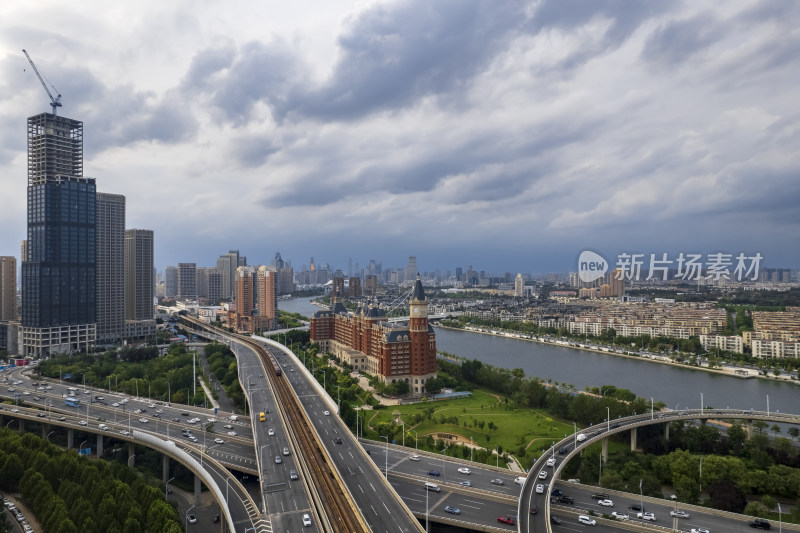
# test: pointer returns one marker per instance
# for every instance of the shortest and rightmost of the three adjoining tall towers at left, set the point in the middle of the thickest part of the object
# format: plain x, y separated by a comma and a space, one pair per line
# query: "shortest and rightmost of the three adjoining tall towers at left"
139, 287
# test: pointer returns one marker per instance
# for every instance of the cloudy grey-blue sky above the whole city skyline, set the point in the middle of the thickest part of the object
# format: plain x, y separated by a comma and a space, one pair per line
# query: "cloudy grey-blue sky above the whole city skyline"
500, 134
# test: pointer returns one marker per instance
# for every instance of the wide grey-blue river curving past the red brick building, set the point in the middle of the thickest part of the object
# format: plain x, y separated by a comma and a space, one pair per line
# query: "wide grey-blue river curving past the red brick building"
671, 384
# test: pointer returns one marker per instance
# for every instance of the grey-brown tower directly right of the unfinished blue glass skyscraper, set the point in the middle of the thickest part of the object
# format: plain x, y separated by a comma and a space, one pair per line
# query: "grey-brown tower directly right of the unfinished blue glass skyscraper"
110, 267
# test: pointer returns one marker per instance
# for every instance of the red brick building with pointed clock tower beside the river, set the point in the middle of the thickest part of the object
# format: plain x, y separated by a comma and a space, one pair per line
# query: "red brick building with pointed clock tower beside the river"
367, 341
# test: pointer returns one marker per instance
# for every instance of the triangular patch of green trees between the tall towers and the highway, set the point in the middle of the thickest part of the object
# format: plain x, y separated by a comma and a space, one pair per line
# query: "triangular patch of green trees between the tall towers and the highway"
135, 371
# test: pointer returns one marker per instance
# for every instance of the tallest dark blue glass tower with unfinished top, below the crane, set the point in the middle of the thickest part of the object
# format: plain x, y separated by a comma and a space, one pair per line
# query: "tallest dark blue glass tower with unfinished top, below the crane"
59, 307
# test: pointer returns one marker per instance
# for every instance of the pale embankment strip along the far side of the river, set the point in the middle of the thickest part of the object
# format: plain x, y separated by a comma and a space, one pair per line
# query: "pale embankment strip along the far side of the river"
738, 372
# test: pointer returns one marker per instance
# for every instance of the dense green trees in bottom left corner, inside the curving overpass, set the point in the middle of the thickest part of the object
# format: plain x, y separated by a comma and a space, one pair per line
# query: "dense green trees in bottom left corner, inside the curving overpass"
68, 493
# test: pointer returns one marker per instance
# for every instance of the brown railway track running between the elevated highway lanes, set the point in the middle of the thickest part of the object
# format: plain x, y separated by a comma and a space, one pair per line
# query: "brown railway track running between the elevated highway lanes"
340, 512
